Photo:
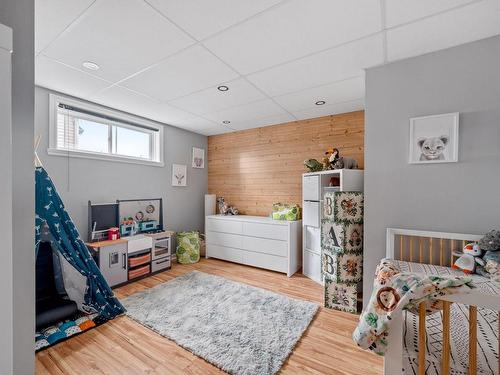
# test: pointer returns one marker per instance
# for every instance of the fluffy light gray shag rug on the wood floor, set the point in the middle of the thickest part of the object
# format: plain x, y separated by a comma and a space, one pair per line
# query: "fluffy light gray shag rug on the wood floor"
236, 327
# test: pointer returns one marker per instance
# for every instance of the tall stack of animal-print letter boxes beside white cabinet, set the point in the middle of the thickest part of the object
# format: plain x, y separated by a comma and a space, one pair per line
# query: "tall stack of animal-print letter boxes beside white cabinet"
342, 249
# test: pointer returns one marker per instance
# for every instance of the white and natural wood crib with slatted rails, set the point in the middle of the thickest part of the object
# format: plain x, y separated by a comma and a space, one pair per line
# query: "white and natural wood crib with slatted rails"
434, 248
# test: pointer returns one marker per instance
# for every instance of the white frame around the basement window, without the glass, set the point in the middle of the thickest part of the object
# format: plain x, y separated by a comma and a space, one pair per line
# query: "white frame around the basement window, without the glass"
54, 101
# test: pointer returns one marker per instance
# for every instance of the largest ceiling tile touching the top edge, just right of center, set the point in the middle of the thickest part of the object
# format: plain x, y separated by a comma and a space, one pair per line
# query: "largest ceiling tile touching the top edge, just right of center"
294, 29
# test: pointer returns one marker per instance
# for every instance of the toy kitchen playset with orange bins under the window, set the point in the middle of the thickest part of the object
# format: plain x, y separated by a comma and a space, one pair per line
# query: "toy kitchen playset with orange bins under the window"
127, 239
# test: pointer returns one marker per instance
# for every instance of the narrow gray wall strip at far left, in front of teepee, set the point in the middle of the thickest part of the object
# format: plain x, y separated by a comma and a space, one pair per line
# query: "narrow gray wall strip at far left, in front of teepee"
19, 15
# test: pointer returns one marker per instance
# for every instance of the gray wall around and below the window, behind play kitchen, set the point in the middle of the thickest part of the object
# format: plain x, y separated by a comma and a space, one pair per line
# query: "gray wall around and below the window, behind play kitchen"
79, 180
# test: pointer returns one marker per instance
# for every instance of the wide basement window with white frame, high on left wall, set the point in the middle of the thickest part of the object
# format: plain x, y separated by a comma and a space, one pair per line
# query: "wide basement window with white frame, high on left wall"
80, 129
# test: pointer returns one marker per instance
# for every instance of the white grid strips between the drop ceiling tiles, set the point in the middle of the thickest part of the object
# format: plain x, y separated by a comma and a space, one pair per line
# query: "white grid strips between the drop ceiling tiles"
239, 74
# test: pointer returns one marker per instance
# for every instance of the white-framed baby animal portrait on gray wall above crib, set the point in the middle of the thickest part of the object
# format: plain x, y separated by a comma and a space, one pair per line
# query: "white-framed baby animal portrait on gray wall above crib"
434, 139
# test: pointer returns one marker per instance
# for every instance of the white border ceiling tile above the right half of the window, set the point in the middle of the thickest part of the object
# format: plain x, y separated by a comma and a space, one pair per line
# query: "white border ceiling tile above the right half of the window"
126, 100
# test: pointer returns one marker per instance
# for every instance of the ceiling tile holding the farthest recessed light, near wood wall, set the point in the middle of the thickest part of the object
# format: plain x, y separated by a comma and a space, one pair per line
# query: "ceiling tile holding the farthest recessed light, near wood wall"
252, 111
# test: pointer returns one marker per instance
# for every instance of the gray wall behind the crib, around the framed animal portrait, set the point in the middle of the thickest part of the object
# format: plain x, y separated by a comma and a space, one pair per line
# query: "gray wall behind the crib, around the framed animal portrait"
459, 197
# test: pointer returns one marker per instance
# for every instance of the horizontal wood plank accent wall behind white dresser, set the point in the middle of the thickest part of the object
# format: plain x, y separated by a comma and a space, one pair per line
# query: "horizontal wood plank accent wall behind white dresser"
255, 168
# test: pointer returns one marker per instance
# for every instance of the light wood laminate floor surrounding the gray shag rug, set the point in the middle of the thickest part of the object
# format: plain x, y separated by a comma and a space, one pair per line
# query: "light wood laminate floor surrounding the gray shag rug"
123, 346
